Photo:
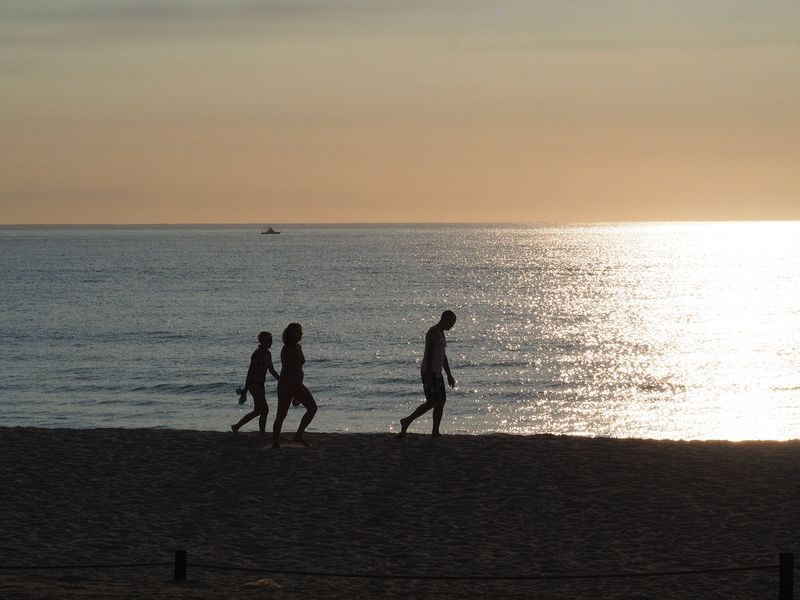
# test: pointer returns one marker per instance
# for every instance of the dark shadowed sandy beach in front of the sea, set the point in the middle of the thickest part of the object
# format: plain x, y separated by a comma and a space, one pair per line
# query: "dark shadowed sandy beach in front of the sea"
494, 505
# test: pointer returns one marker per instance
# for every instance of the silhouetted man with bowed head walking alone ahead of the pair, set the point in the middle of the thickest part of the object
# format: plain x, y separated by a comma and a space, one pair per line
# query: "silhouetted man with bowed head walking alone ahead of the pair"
433, 361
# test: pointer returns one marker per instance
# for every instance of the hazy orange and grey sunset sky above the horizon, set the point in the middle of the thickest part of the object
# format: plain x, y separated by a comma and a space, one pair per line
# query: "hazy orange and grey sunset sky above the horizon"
359, 111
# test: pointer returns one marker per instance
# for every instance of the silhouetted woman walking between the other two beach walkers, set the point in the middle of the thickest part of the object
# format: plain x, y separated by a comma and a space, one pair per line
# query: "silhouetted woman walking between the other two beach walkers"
290, 385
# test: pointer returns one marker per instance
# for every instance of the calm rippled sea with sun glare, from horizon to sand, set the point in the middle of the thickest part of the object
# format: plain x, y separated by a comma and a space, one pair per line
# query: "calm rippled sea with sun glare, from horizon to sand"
644, 330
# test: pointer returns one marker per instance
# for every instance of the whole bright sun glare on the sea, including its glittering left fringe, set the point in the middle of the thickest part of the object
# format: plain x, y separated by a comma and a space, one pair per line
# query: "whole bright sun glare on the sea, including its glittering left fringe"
681, 331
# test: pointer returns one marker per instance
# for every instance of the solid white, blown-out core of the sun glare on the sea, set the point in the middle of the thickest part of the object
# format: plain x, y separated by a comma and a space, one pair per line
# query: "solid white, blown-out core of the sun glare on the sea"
731, 319
